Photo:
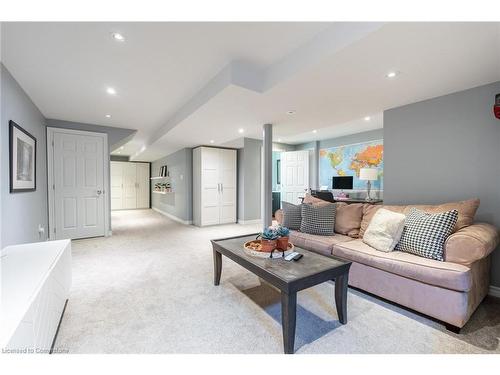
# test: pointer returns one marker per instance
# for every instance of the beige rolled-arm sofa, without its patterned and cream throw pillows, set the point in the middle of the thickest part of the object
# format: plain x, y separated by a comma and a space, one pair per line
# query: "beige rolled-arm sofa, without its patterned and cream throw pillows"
448, 291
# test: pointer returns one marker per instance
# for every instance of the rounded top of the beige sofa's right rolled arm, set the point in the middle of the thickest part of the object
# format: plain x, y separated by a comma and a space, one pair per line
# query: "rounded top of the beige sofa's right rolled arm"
471, 243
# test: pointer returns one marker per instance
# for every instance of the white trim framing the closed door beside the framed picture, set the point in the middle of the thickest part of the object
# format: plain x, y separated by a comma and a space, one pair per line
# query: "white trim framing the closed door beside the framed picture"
50, 176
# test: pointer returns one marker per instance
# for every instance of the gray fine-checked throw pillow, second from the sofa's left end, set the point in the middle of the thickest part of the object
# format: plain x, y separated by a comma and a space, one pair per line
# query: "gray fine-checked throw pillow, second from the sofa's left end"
318, 219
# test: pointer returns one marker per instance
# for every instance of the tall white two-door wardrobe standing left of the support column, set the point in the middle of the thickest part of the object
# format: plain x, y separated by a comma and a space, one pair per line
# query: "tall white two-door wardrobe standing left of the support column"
214, 186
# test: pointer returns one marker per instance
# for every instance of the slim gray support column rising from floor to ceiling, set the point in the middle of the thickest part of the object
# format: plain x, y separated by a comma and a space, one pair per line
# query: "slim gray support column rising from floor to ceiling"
267, 176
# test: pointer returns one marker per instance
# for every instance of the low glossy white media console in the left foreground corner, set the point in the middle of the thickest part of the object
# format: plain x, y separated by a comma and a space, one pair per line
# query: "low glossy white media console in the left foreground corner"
36, 279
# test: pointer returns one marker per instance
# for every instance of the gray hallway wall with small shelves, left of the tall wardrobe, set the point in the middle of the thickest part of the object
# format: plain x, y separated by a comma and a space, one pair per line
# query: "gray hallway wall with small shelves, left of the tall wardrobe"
180, 167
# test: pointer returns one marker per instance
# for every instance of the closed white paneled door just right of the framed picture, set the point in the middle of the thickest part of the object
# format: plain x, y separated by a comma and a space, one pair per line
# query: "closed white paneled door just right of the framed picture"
77, 167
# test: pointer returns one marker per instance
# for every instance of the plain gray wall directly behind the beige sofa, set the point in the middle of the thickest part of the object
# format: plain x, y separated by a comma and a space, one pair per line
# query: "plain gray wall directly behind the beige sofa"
446, 149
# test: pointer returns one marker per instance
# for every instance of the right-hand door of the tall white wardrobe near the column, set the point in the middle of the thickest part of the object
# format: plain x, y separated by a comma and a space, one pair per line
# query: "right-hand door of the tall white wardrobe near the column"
227, 178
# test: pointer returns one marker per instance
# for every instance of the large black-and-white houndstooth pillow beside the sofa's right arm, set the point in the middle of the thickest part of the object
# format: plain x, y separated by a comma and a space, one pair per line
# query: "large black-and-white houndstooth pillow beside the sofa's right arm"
424, 234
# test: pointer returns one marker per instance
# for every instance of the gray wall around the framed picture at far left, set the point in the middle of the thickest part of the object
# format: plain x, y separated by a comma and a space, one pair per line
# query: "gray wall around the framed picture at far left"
22, 212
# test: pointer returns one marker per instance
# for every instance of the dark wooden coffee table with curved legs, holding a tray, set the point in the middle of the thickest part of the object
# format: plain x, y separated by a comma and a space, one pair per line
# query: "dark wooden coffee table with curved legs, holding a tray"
289, 277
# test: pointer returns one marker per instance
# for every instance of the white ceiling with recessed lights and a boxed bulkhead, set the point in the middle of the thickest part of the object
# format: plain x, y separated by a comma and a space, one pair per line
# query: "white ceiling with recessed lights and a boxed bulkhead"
184, 84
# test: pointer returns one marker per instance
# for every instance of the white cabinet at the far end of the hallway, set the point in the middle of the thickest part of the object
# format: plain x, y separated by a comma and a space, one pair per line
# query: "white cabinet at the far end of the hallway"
129, 185
